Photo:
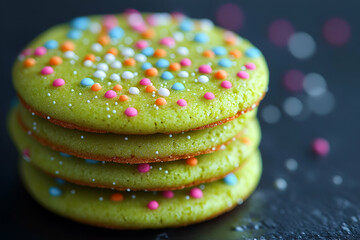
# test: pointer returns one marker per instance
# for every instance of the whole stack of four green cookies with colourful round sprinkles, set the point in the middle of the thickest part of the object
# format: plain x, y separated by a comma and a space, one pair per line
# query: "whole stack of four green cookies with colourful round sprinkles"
139, 120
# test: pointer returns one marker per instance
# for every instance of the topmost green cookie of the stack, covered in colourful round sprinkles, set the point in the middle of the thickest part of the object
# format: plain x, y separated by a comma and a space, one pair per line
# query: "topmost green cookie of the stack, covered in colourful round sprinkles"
138, 73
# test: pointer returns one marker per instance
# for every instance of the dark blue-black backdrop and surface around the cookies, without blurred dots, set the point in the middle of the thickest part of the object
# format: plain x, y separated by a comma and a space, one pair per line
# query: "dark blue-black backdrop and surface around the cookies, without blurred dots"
311, 207
